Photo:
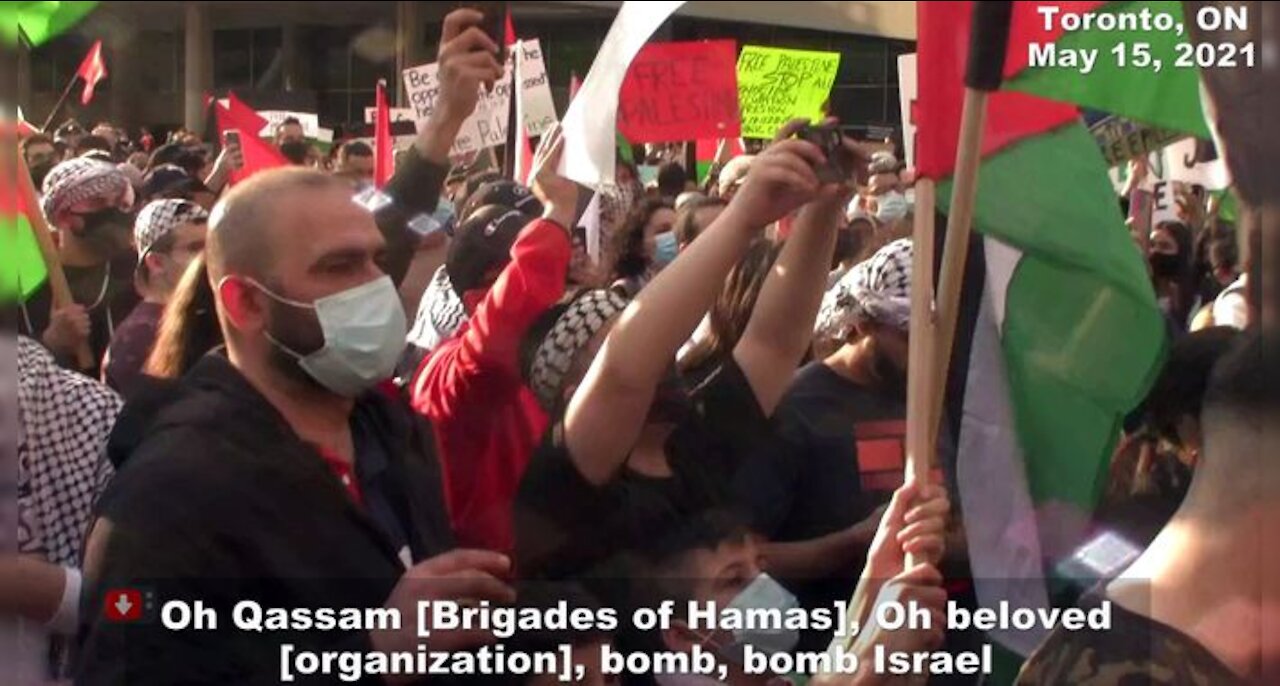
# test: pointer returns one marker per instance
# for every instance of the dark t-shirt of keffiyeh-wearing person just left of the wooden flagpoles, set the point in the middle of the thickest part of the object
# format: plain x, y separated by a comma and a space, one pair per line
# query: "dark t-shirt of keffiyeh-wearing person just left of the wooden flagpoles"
806, 484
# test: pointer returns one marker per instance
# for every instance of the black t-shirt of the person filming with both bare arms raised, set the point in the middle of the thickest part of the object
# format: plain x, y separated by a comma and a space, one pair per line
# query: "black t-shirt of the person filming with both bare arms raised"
568, 528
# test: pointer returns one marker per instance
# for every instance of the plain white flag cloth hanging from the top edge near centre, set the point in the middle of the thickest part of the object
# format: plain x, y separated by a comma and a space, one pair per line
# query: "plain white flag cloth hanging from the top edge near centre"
591, 124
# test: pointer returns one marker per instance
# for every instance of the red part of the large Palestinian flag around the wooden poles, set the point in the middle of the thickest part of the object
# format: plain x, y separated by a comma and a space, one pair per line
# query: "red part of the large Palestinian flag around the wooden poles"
944, 48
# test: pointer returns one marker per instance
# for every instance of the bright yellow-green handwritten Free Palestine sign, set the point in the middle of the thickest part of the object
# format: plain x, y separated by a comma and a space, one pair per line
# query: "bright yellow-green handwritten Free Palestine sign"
776, 85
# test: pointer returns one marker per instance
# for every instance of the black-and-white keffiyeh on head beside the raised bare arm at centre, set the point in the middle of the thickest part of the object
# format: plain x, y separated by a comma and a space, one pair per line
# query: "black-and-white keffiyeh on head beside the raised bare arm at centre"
584, 317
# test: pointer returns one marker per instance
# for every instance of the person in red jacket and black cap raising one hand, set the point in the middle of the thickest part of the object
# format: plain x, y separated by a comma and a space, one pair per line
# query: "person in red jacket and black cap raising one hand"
487, 420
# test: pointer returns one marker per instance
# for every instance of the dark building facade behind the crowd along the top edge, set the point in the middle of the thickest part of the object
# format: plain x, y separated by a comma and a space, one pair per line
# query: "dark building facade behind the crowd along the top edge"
327, 57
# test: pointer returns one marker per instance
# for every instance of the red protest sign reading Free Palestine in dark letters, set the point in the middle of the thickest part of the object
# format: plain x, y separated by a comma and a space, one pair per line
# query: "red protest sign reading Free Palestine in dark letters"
682, 92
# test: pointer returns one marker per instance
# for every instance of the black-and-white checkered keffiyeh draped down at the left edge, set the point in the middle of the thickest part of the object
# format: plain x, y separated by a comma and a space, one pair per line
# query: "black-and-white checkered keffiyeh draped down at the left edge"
63, 424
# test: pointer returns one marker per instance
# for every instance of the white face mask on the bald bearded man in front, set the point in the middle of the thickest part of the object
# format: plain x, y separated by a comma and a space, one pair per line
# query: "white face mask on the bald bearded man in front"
364, 337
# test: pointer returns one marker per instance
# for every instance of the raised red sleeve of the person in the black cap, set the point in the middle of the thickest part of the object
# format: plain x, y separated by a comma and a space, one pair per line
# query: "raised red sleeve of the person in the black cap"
490, 344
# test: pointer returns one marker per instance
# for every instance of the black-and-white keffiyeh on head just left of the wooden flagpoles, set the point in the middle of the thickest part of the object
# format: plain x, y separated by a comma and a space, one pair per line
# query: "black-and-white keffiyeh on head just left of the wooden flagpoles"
877, 290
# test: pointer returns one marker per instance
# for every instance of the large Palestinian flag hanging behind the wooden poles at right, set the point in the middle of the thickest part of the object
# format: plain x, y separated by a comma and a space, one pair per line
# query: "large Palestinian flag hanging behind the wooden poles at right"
1059, 333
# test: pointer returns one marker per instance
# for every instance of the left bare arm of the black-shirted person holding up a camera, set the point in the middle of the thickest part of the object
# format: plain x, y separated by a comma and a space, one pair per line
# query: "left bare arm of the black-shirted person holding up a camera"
609, 410
